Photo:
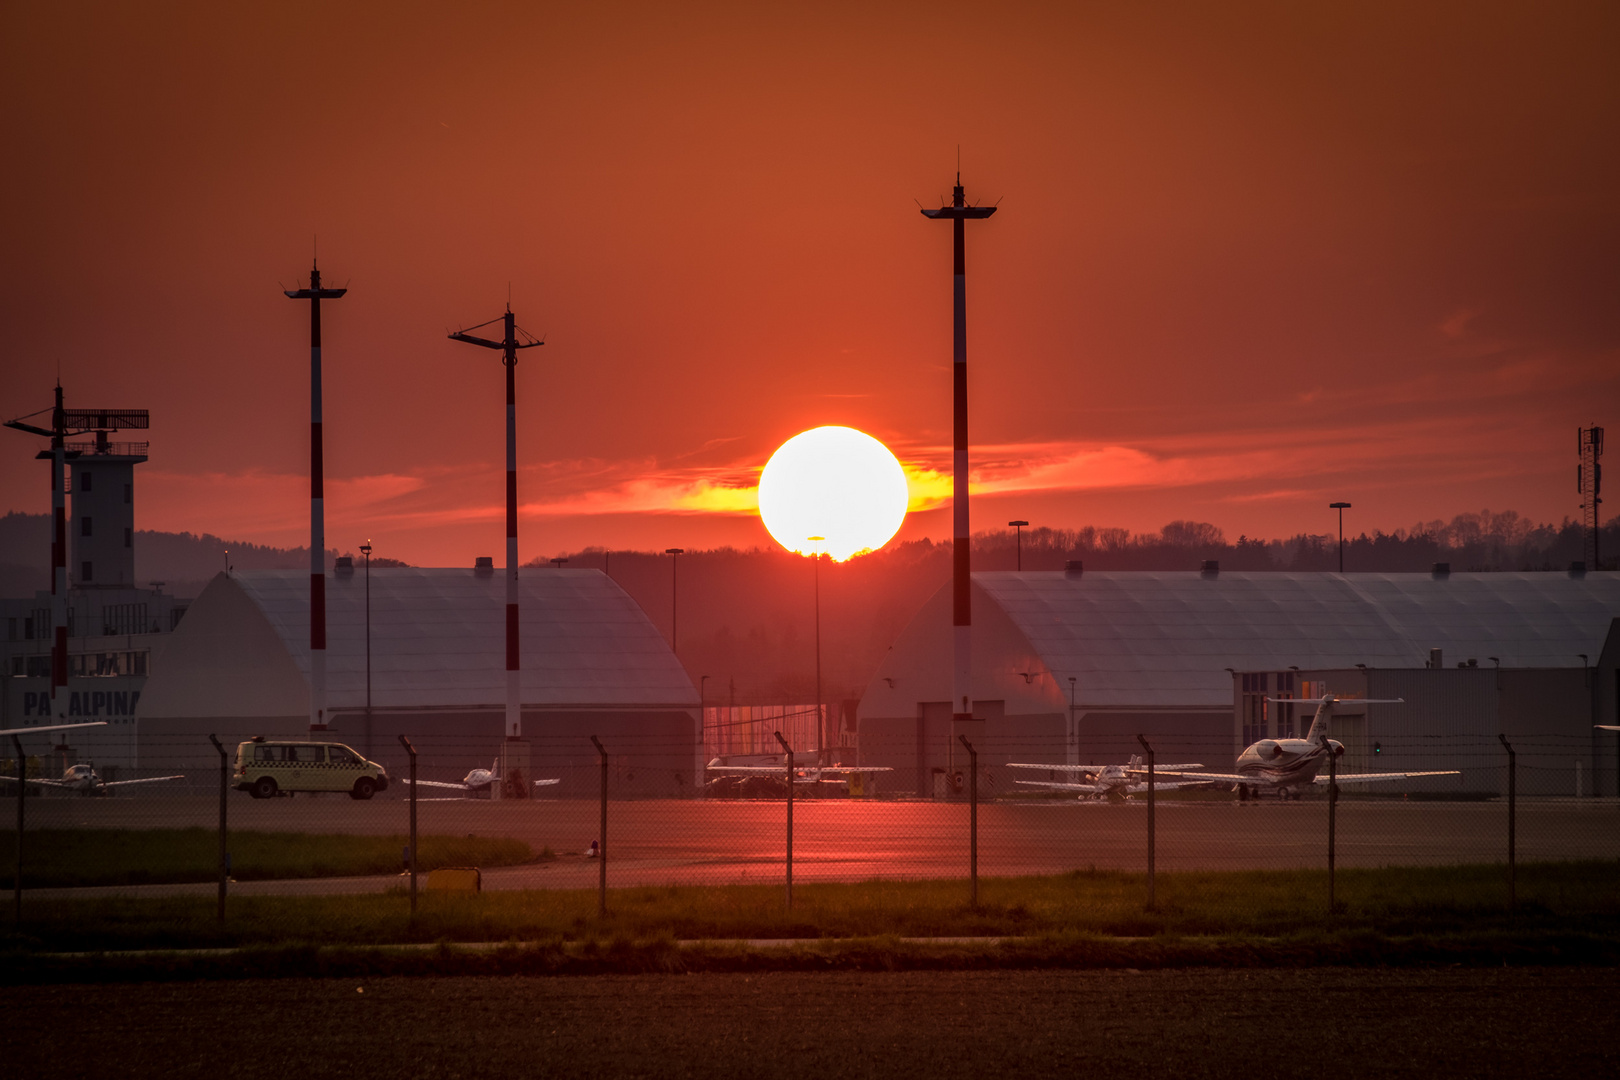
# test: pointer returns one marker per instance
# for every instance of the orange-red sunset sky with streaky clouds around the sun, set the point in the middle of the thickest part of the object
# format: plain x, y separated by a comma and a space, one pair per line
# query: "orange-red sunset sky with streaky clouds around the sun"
1250, 258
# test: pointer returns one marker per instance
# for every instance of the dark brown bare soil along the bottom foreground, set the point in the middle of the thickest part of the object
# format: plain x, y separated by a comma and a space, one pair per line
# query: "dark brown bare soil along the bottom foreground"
782, 1026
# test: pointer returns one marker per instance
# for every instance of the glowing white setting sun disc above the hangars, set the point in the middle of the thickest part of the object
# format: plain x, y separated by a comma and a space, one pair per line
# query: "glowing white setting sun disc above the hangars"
833, 491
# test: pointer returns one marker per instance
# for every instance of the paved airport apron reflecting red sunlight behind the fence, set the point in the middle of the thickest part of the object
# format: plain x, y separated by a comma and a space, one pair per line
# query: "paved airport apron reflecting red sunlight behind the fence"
710, 843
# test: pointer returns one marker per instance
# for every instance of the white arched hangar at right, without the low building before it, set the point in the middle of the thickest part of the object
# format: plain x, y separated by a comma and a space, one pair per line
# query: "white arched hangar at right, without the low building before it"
1072, 666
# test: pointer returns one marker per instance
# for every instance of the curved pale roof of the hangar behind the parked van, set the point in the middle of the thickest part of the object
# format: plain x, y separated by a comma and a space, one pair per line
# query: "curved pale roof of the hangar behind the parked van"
438, 640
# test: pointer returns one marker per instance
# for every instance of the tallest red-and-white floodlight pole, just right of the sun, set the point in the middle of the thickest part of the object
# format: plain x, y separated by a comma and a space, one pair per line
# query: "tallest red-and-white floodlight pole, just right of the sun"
958, 213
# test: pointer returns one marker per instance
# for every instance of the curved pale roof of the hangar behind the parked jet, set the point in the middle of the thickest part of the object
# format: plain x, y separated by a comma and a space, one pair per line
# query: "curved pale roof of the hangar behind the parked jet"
1143, 639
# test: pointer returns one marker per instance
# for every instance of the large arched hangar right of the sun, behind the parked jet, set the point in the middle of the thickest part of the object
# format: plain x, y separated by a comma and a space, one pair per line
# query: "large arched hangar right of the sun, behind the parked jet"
1072, 666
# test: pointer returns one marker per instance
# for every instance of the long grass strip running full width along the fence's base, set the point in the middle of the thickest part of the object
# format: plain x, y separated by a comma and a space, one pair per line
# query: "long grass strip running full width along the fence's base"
1394, 903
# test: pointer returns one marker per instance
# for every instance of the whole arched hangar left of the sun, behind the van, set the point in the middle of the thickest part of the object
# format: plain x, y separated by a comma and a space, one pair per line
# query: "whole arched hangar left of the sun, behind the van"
592, 665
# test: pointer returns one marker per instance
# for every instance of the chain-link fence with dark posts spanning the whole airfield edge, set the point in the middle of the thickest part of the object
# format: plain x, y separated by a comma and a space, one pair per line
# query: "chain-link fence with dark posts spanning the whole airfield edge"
305, 817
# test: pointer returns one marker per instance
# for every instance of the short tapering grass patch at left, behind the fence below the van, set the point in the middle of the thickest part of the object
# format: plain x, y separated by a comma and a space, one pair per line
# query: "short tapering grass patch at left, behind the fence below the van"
139, 857
